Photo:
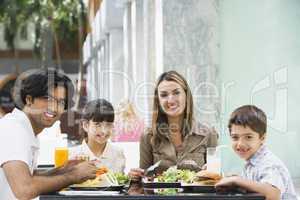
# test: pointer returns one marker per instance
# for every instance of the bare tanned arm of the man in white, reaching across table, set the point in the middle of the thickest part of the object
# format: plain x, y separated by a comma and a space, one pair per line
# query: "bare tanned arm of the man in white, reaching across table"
27, 186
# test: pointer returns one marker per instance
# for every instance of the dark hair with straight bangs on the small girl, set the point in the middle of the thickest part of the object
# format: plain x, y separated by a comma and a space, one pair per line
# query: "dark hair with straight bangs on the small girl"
98, 111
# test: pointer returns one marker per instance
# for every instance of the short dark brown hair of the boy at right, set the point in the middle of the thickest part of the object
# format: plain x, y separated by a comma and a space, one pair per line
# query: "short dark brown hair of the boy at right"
251, 116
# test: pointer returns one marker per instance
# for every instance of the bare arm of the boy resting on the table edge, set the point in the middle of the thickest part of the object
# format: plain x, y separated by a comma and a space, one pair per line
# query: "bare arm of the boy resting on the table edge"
269, 191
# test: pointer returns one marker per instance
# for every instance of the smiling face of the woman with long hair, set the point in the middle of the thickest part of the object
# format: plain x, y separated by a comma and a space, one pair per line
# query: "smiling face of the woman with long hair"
172, 98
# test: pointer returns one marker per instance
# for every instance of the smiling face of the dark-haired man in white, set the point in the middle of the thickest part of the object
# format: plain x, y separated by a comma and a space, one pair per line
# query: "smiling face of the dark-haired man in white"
44, 111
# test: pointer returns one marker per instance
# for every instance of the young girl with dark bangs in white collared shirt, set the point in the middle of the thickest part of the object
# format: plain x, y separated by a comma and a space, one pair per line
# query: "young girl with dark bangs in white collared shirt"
98, 122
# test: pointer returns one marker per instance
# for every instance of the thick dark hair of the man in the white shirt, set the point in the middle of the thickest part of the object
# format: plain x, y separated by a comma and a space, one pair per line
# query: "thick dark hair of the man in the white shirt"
37, 83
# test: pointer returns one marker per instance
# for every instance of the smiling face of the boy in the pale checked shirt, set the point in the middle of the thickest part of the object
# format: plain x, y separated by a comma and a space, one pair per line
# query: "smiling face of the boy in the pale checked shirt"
245, 141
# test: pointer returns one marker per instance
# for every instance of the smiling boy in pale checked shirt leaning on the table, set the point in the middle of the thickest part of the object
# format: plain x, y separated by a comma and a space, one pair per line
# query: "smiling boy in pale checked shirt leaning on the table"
264, 173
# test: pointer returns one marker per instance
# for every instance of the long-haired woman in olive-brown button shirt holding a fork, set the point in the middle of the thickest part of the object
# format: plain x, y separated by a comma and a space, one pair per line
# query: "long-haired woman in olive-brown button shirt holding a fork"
175, 137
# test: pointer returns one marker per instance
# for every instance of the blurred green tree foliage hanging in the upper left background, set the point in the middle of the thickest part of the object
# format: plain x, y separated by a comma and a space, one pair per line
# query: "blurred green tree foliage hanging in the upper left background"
63, 14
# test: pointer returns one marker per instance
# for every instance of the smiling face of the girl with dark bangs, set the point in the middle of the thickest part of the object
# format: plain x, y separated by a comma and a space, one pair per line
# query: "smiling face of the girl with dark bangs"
99, 132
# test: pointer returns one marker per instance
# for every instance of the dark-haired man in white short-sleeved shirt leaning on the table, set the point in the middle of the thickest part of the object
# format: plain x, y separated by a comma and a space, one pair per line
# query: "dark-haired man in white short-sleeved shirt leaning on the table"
41, 97
